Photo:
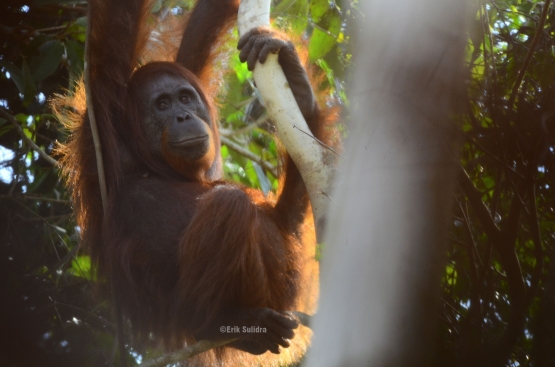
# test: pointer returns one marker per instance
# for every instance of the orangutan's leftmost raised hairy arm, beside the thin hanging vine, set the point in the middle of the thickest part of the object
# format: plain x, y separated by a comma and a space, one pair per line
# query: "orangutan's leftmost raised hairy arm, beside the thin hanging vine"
118, 34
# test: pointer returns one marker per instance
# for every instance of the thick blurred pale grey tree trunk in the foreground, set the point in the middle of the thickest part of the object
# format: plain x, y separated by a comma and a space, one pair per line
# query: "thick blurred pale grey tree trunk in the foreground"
385, 244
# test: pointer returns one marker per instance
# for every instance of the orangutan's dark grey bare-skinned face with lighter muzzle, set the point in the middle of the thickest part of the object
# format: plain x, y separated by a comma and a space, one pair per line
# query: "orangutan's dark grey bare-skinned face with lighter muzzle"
177, 125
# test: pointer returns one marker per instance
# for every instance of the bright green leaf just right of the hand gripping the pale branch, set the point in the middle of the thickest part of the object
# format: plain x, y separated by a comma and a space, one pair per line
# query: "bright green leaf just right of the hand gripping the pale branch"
323, 41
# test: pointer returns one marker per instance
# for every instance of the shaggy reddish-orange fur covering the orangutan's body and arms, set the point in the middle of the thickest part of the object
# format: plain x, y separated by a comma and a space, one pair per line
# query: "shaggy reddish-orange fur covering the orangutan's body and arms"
181, 249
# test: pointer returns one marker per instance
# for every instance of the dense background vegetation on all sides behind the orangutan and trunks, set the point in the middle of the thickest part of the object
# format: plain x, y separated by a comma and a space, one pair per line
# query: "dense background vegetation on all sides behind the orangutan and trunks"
499, 284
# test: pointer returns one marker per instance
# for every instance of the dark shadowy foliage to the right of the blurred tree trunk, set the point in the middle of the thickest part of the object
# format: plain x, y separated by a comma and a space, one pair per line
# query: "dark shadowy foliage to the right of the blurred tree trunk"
499, 284
